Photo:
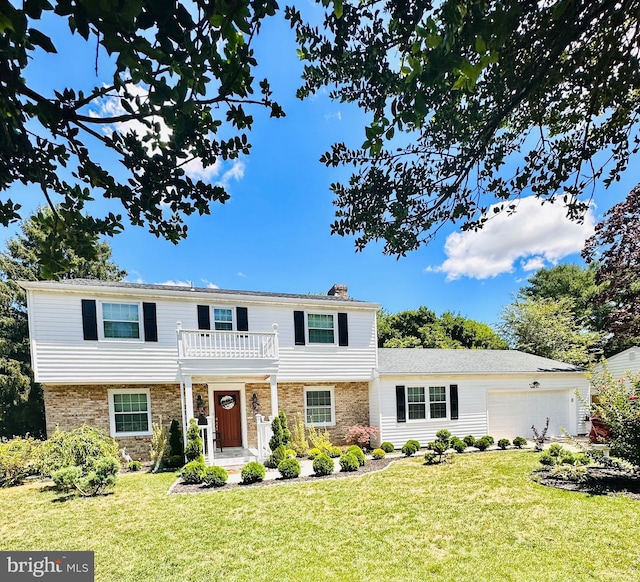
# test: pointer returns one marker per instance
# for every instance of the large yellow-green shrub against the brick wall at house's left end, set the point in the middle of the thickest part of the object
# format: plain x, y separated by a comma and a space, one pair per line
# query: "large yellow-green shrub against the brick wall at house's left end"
82, 447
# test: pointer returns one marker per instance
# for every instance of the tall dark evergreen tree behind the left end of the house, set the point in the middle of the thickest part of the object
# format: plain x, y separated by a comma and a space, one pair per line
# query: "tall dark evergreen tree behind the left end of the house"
21, 404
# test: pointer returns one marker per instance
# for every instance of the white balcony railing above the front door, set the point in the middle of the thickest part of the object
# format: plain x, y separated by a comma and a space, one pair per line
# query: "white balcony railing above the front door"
227, 344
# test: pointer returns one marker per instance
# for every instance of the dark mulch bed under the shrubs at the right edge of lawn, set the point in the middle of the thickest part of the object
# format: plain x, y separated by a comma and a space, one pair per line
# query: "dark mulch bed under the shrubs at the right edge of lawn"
597, 481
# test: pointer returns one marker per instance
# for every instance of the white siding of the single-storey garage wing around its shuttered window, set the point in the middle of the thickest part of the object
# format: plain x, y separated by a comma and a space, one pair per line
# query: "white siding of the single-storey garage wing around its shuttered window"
473, 404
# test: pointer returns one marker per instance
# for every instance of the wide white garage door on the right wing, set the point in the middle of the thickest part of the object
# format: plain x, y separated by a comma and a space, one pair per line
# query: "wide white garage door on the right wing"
511, 414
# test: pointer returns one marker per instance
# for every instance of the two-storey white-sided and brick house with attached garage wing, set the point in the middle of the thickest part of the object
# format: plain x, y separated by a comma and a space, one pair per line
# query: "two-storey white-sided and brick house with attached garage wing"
120, 356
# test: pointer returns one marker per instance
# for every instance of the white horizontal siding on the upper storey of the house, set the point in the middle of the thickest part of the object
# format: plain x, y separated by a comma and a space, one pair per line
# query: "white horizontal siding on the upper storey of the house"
61, 355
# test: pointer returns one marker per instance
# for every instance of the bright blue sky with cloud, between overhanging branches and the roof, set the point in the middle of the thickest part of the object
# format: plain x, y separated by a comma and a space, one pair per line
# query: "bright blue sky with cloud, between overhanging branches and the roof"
274, 232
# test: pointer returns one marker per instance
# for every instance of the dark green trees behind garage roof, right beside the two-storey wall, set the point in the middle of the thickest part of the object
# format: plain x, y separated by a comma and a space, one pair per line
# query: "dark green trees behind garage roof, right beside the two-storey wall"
422, 328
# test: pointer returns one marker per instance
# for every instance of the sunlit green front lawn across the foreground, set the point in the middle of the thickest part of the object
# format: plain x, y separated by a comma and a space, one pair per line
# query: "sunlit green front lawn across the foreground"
480, 518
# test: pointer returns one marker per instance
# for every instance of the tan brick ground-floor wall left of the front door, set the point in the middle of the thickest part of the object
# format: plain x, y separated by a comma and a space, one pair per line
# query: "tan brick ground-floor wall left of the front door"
68, 407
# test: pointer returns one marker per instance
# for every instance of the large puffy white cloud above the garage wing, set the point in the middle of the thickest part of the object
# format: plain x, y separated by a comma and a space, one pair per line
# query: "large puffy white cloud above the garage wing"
536, 235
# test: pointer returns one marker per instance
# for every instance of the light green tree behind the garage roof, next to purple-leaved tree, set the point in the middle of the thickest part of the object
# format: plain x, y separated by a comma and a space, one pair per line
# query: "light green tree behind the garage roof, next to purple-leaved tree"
547, 327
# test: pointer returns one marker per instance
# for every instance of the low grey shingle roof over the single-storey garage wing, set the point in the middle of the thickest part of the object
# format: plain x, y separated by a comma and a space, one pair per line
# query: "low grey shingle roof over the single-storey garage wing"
437, 361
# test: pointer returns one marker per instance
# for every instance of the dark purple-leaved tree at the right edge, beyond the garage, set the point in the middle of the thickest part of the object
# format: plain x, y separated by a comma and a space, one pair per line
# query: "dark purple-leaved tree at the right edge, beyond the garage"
615, 249
